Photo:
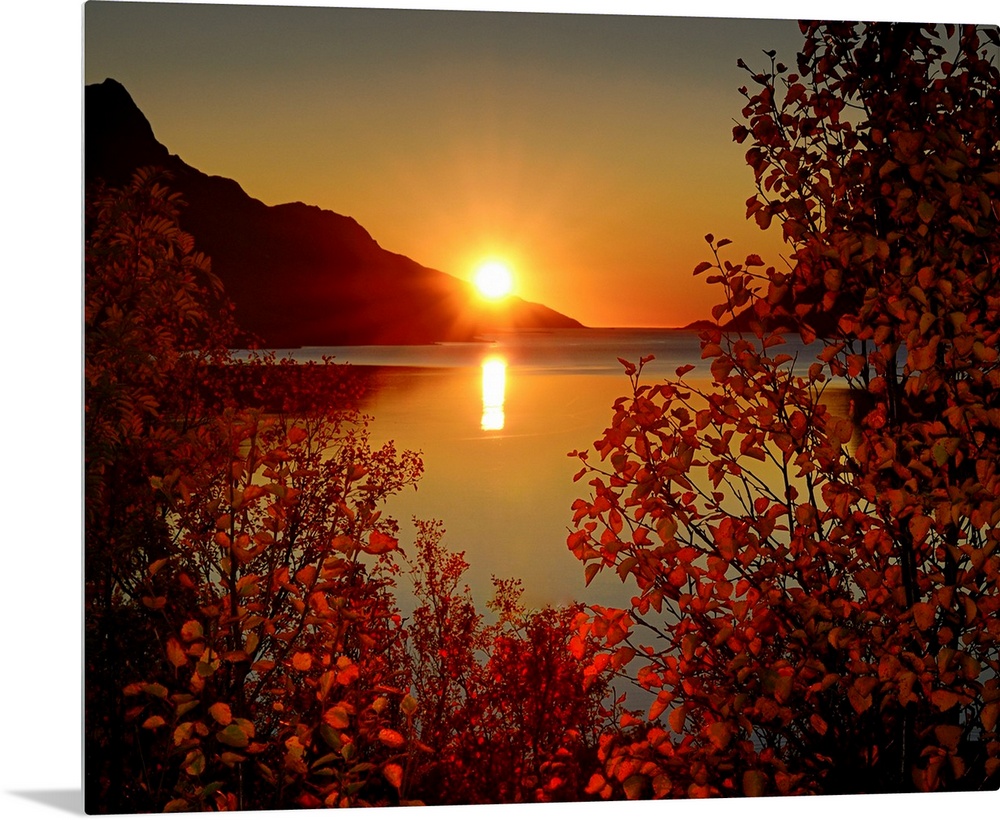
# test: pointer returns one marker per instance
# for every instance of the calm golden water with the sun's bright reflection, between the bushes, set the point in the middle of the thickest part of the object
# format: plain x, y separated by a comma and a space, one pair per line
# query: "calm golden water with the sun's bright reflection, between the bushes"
494, 422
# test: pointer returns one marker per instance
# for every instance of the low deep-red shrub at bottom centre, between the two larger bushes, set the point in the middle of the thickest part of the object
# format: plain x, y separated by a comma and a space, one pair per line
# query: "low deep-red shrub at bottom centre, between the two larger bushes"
506, 713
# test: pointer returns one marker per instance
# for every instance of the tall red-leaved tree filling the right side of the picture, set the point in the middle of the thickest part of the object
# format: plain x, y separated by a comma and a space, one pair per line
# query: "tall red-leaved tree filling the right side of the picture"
815, 544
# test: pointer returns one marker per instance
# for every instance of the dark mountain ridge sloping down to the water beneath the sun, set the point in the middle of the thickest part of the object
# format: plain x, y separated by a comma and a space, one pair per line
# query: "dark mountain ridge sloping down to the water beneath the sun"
298, 275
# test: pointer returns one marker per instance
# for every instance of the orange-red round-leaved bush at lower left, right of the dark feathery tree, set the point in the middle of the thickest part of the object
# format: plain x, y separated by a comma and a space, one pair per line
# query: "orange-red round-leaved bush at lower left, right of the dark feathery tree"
281, 682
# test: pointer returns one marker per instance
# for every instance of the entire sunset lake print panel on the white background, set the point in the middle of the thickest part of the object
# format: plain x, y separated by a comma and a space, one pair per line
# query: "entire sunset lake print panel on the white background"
490, 407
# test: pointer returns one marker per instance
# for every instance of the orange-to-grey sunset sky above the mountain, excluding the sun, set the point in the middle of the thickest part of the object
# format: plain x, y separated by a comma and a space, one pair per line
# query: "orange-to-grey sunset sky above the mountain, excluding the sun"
593, 153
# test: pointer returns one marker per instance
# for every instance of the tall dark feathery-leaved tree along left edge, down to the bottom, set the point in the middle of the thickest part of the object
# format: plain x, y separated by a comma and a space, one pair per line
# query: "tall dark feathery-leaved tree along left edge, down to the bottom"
155, 317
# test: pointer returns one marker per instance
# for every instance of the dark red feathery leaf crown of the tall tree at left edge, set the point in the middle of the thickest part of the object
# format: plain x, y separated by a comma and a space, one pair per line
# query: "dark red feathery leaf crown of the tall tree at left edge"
154, 316
